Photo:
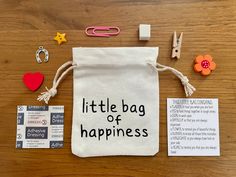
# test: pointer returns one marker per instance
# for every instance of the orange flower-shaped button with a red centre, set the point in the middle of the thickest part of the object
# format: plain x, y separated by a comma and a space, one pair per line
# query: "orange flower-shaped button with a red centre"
204, 64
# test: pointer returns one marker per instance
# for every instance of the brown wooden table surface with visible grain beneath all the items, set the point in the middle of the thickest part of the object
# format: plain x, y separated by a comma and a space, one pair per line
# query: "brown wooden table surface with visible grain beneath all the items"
209, 28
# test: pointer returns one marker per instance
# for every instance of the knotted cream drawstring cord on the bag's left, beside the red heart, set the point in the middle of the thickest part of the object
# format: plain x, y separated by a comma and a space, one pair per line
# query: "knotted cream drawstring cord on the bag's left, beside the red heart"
60, 74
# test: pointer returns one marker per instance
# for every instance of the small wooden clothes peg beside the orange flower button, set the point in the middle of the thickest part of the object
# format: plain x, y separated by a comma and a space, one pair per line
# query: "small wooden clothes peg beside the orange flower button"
176, 48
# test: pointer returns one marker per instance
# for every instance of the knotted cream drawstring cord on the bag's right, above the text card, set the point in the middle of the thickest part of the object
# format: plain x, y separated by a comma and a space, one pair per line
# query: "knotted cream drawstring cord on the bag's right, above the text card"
188, 88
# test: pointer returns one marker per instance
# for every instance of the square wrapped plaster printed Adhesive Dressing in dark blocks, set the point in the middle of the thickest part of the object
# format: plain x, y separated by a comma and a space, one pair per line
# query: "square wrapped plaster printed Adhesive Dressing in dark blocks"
40, 126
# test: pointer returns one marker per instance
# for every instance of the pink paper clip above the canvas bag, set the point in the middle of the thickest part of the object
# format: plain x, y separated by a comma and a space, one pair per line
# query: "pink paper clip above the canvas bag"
94, 31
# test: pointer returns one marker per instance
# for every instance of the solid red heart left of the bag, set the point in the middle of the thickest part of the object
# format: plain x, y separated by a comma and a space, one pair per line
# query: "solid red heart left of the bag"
33, 80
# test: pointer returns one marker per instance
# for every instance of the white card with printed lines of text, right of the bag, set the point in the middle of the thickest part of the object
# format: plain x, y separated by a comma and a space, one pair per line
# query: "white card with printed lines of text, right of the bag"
193, 127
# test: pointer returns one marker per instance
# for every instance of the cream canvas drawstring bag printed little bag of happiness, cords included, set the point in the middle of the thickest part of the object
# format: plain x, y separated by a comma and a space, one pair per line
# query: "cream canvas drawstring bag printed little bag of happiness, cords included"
116, 100
